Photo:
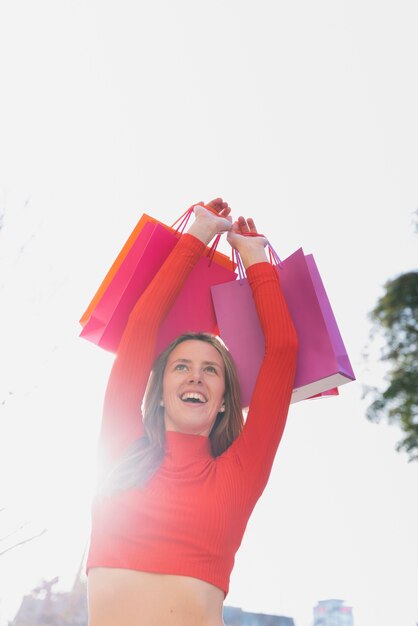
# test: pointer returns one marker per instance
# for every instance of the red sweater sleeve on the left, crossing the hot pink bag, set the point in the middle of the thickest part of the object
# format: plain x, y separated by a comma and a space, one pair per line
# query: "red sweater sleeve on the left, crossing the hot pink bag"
122, 417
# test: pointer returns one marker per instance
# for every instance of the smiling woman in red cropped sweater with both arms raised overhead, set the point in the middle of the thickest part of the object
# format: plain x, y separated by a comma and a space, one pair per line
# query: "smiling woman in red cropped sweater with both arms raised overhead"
180, 486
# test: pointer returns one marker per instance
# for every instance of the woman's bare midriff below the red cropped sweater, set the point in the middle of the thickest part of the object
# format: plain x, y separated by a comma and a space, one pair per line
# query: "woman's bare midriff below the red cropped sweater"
121, 597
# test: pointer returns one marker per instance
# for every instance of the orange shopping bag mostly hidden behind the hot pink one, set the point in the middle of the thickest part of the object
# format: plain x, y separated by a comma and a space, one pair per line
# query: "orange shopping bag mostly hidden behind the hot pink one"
176, 229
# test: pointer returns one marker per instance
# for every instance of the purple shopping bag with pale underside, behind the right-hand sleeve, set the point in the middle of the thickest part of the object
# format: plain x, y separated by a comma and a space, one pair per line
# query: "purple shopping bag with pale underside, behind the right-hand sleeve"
322, 362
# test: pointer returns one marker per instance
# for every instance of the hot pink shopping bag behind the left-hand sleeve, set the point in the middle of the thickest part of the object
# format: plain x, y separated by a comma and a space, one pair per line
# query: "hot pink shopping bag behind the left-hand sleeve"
192, 311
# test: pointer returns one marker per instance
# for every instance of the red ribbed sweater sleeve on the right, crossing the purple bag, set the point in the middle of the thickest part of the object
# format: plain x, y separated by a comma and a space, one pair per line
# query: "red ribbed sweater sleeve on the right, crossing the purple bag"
257, 444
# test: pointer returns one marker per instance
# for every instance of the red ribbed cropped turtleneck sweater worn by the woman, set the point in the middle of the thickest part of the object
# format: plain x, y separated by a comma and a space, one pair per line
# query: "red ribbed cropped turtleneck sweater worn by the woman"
190, 517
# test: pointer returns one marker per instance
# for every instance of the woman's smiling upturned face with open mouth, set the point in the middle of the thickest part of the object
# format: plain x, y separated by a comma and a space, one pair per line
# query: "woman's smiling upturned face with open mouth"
193, 387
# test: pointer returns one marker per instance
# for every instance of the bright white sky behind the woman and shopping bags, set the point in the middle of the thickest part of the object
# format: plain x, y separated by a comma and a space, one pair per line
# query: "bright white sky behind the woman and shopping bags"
301, 114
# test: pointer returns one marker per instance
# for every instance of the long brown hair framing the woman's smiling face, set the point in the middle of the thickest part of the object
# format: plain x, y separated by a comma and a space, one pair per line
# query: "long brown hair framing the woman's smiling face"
144, 456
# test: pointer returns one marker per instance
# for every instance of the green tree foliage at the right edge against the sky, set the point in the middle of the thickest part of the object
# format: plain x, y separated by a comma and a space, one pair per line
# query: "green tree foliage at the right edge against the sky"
396, 316
